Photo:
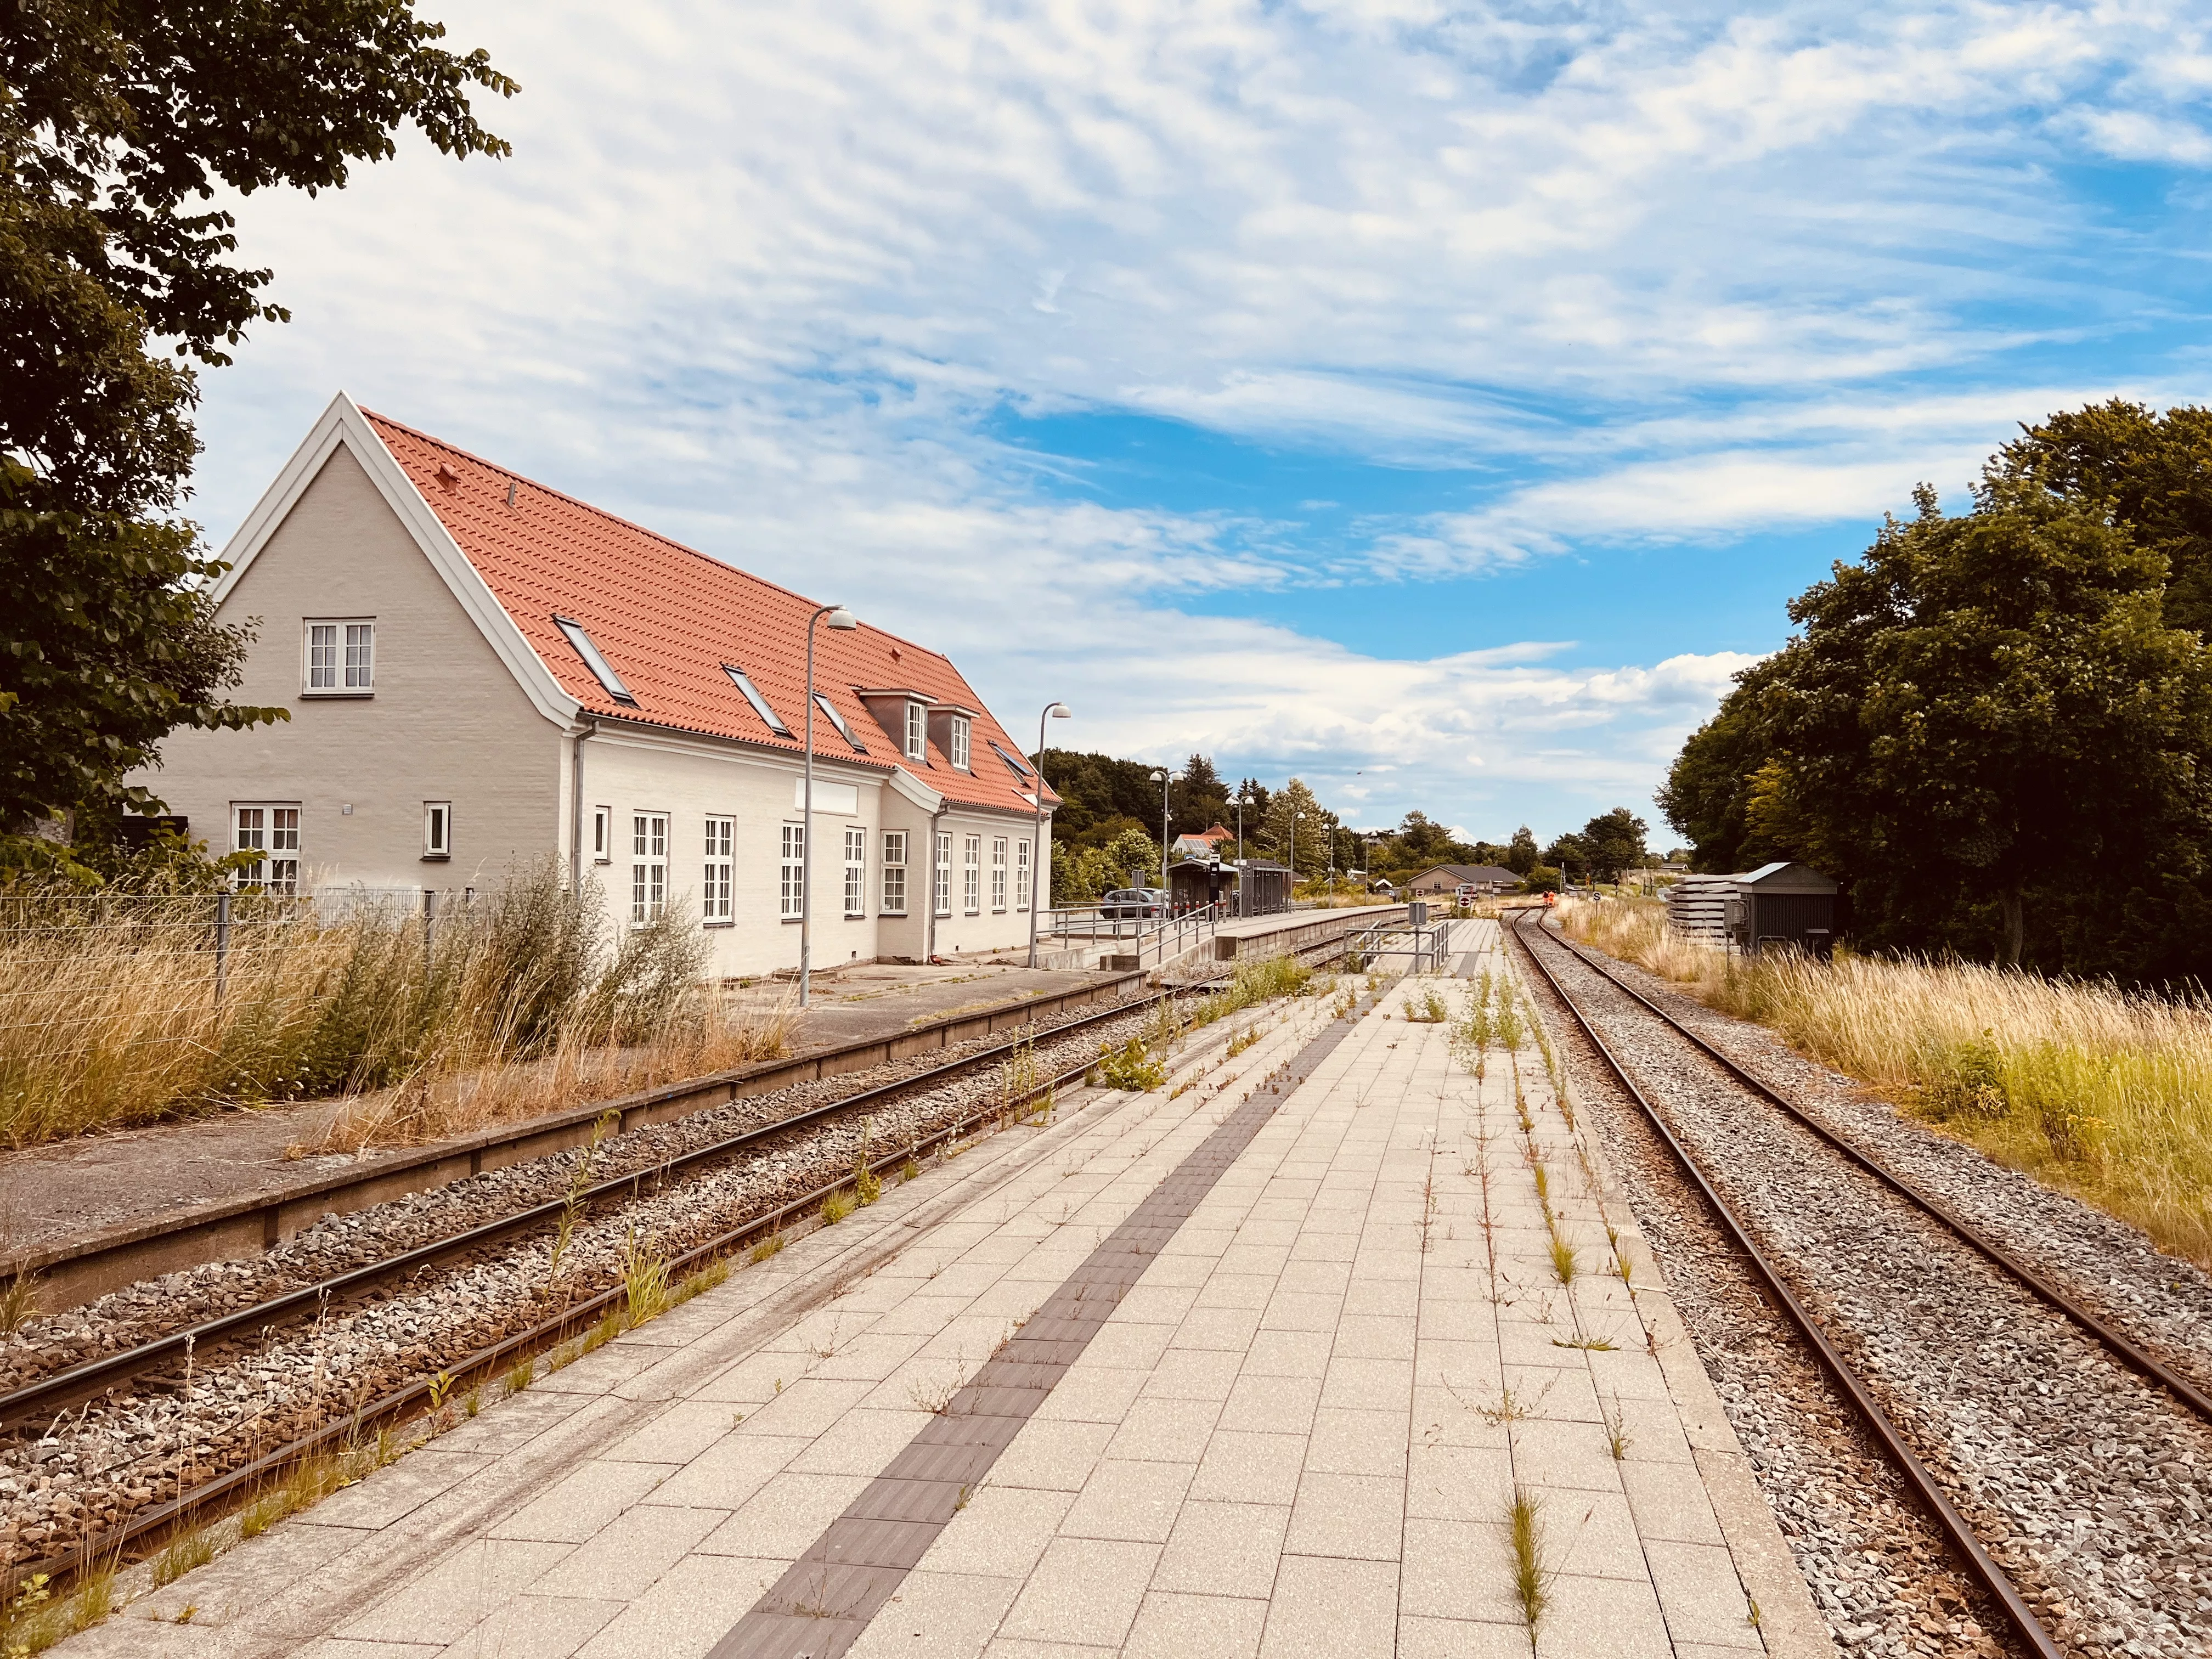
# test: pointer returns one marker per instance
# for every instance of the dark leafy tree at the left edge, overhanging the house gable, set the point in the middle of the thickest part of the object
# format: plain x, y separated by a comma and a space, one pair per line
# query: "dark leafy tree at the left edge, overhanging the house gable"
118, 123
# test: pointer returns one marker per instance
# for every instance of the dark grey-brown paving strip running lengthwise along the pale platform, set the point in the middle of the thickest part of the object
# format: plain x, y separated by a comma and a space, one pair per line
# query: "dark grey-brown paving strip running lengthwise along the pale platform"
828, 1596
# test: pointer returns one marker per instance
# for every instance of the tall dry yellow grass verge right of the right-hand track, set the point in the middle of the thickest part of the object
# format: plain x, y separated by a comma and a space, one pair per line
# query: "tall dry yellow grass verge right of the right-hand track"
2098, 1092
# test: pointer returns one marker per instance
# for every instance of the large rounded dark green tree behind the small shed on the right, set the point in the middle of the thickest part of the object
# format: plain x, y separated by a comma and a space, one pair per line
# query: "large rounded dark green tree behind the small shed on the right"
1990, 733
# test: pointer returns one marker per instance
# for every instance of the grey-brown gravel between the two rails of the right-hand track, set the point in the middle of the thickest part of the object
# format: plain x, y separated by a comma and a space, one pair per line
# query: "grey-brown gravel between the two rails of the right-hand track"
2085, 1483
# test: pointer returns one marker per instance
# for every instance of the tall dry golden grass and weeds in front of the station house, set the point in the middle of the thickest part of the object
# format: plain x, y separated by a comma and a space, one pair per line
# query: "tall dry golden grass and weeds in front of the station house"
109, 1010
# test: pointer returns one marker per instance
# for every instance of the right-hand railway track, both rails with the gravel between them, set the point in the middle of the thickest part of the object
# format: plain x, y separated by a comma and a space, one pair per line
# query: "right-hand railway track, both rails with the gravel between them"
1866, 1339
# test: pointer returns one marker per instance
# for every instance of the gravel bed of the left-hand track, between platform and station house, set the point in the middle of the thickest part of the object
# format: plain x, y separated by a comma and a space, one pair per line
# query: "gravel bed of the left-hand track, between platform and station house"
244, 1412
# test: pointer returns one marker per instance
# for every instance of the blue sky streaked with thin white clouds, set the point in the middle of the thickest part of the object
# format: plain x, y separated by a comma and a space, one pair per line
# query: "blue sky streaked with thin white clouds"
1430, 401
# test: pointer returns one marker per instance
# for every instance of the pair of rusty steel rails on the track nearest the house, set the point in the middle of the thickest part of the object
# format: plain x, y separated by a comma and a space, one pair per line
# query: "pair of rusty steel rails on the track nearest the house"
213, 1342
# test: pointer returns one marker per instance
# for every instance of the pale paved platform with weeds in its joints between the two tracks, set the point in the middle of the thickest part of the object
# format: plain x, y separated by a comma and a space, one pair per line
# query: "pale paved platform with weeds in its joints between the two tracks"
1260, 1366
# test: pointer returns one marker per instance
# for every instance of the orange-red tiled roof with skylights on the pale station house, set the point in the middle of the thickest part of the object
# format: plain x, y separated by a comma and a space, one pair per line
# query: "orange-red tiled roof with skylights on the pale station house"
669, 618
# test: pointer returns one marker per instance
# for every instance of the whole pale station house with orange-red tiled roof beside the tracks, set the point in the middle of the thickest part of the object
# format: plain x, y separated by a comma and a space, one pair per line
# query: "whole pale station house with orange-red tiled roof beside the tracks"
486, 674
